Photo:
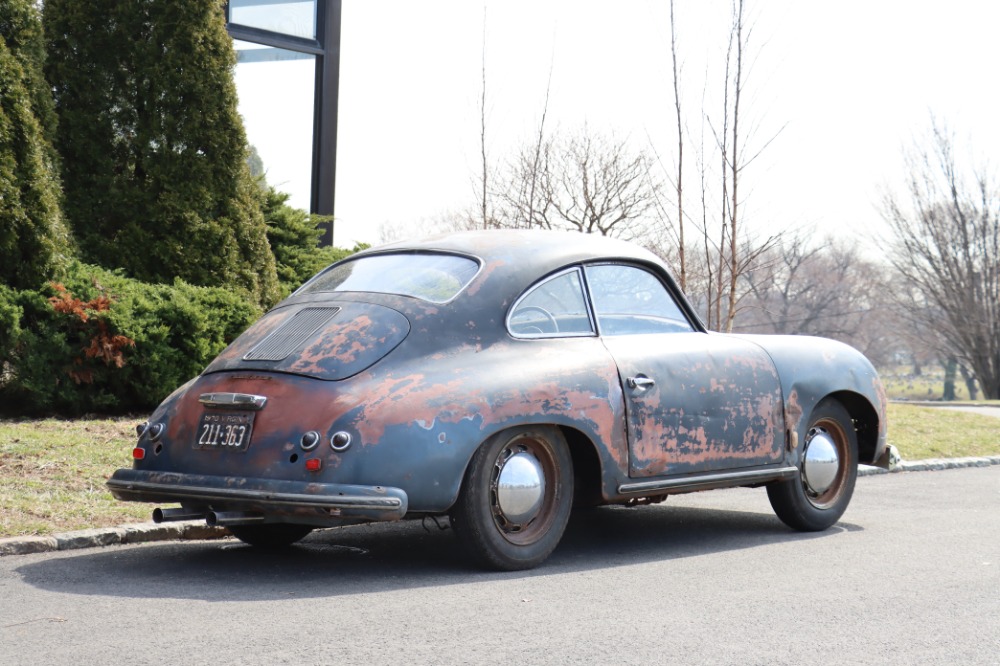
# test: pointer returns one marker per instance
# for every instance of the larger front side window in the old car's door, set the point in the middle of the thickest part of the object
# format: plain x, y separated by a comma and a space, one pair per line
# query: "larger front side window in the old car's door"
630, 301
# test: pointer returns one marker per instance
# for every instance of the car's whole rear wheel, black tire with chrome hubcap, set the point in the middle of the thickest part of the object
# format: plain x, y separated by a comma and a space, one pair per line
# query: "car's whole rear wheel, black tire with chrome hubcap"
505, 542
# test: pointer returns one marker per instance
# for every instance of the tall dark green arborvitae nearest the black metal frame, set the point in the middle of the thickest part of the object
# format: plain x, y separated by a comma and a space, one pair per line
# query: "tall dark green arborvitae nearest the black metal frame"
154, 153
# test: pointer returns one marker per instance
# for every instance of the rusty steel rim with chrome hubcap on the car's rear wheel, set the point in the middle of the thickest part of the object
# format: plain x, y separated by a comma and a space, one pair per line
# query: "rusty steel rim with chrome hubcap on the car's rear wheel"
528, 520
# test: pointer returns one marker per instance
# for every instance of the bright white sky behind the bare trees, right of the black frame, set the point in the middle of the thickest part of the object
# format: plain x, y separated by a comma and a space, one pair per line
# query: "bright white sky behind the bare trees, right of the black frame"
852, 82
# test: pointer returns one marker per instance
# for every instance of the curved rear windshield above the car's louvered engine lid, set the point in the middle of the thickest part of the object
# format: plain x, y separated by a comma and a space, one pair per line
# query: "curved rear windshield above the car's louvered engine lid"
432, 277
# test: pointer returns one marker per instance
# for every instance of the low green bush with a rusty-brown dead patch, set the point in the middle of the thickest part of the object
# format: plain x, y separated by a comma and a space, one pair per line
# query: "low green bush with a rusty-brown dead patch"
101, 342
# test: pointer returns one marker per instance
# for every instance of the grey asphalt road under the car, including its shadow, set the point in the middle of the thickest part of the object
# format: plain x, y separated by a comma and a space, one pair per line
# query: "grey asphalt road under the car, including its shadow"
911, 575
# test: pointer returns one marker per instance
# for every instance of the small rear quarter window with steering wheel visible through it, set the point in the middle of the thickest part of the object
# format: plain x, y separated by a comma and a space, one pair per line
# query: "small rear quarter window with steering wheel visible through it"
555, 307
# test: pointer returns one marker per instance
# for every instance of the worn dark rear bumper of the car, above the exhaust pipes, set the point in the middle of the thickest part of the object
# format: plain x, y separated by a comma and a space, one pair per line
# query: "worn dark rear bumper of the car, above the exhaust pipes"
316, 501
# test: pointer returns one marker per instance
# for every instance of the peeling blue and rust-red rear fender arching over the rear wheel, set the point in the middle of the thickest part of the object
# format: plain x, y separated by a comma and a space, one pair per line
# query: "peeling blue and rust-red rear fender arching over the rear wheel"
435, 420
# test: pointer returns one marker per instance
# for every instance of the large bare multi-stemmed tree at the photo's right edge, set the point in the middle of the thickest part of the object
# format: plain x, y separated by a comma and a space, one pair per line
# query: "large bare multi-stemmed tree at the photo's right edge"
946, 244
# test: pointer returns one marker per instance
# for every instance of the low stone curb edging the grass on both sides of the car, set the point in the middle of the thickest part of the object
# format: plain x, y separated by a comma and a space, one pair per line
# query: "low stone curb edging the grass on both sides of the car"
197, 530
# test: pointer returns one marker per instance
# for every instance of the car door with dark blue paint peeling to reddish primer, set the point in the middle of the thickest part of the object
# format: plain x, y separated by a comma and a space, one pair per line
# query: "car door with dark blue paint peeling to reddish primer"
716, 404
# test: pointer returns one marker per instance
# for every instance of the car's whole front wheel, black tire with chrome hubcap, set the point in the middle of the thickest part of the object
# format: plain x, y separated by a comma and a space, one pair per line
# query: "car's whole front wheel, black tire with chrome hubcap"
798, 502
